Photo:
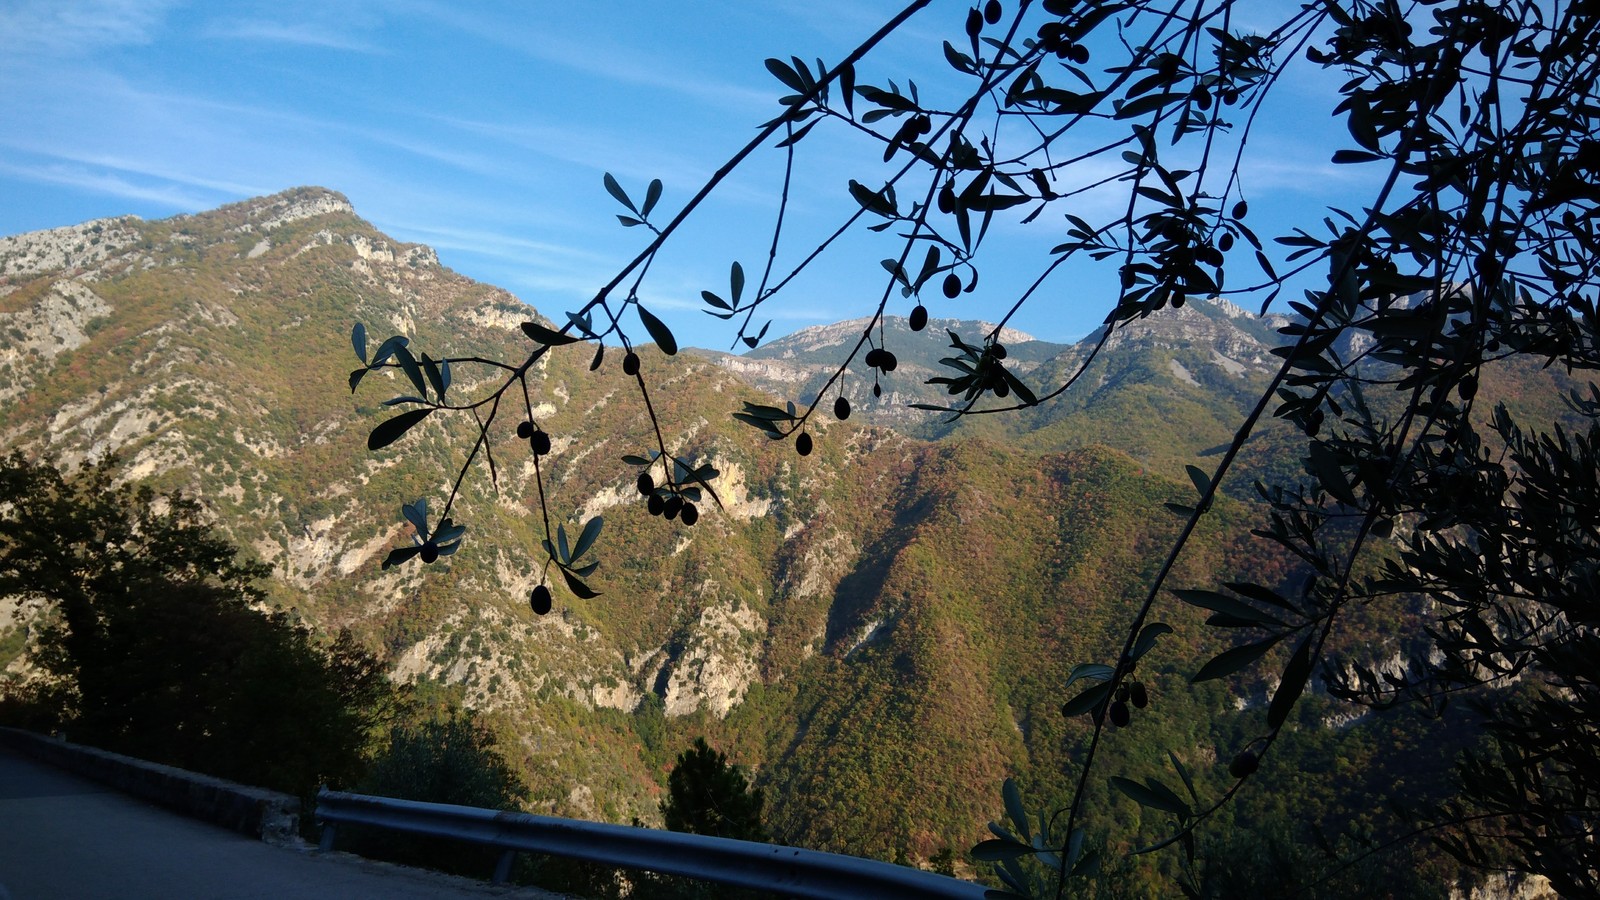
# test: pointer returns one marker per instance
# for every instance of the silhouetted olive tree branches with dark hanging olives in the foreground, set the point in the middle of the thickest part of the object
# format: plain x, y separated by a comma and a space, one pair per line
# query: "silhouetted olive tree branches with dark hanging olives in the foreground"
1476, 246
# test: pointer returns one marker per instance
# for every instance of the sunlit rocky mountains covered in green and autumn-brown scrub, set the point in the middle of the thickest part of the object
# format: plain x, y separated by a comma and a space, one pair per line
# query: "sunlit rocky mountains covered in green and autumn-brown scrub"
881, 630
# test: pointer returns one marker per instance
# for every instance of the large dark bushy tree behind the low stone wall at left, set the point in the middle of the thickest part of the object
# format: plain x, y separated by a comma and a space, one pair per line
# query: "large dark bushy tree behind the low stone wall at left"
156, 643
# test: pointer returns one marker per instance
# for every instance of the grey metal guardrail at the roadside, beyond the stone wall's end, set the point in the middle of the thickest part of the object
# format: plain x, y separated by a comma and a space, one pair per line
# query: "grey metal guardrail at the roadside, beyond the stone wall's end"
742, 864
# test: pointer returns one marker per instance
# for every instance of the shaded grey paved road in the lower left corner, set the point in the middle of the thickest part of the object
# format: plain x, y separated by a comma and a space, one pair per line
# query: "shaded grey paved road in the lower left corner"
63, 838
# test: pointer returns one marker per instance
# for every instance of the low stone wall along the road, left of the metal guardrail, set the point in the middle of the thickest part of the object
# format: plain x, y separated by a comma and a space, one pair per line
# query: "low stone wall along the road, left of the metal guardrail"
255, 813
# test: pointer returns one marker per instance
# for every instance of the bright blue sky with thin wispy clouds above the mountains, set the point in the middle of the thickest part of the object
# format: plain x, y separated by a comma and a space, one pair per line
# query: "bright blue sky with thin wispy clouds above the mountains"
484, 131
